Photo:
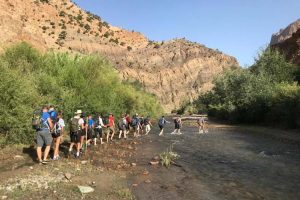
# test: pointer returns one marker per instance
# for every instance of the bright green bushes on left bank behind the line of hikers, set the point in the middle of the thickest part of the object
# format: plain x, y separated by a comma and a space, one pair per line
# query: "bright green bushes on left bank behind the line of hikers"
90, 83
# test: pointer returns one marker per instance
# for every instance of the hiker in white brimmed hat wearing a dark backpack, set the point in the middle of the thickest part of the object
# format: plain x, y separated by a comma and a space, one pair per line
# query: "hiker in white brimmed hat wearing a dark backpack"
76, 127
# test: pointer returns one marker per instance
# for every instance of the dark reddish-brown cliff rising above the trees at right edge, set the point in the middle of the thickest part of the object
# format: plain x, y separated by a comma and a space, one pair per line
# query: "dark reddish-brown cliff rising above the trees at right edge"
288, 42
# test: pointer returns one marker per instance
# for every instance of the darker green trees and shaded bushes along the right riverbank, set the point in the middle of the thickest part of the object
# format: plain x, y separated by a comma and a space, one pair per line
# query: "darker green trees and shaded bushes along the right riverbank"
264, 94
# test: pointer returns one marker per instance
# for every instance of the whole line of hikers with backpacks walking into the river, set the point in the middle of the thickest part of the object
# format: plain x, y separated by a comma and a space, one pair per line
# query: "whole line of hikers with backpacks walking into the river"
50, 127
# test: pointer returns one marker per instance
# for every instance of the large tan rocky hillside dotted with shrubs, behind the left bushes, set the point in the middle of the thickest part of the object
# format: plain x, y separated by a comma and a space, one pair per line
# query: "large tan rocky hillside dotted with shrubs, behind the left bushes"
175, 71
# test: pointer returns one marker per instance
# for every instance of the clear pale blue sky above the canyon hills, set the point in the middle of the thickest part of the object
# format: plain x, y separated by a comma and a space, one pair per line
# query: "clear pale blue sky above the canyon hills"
237, 27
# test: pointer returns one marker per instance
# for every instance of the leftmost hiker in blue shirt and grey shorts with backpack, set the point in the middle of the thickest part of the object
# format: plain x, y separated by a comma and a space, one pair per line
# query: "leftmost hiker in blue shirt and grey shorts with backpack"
43, 135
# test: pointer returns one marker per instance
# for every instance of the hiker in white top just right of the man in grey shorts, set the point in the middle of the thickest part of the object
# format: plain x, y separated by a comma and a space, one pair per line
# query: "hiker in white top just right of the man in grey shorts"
57, 135
